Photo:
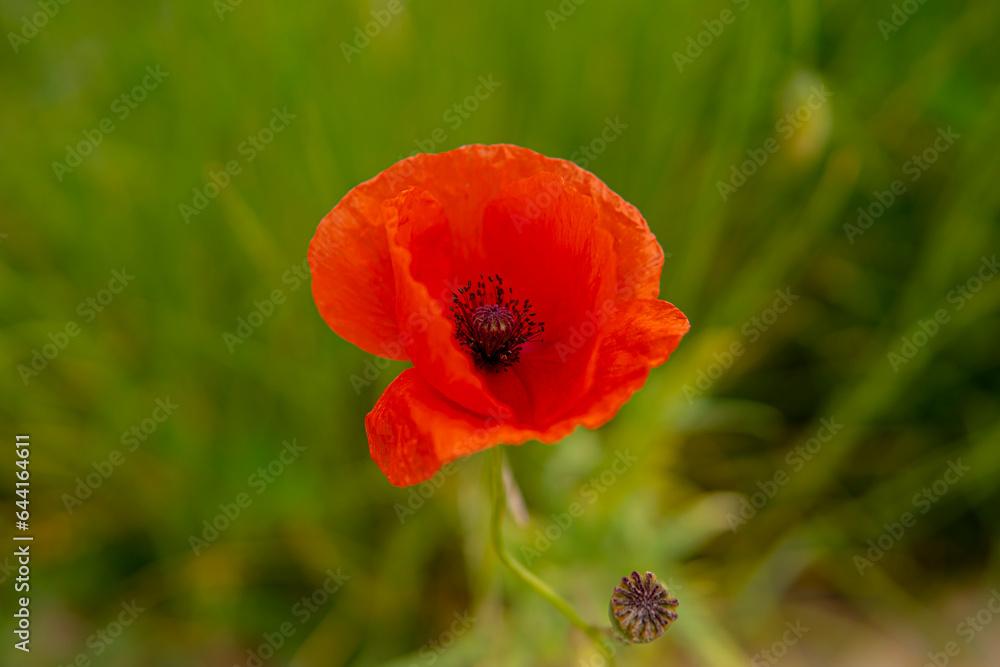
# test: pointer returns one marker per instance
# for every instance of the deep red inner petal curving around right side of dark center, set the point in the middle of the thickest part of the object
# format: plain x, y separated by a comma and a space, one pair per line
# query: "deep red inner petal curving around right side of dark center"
544, 240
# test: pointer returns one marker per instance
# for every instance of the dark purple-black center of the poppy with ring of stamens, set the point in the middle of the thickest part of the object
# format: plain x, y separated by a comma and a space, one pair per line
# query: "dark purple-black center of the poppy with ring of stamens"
491, 326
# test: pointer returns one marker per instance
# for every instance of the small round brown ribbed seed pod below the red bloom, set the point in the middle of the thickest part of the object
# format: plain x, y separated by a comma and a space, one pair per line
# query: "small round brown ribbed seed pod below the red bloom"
641, 609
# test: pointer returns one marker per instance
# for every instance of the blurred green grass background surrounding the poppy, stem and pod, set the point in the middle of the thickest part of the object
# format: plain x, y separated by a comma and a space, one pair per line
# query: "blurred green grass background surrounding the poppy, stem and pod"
709, 431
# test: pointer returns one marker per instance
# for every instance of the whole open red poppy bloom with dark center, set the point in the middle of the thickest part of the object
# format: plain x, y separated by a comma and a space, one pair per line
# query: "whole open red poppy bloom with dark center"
523, 290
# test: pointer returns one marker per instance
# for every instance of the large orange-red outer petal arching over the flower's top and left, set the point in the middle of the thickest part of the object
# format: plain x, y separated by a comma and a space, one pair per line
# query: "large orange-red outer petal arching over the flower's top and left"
353, 282
